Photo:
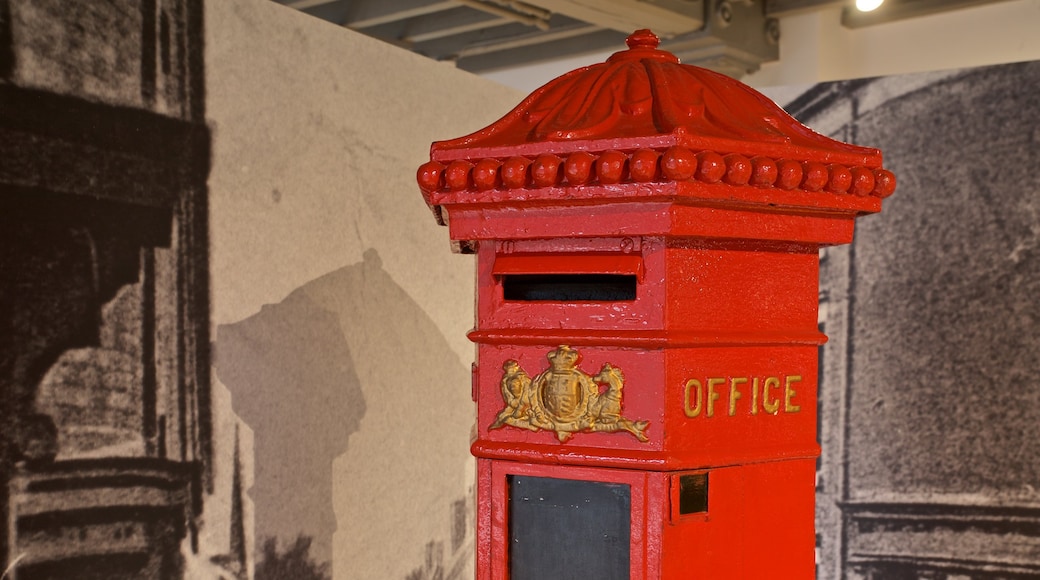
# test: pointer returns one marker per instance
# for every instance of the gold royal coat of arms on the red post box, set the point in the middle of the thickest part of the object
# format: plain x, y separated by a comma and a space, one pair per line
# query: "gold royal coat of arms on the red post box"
565, 400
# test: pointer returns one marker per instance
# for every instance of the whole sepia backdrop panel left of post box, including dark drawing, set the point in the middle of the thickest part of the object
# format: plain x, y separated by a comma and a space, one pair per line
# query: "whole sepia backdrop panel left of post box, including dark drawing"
232, 337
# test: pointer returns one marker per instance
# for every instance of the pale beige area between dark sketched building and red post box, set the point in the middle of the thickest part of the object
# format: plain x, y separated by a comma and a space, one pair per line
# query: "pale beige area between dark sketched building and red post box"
340, 311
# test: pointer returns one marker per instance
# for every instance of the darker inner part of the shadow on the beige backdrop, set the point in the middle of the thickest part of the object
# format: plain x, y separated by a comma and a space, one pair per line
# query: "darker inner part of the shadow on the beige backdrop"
294, 383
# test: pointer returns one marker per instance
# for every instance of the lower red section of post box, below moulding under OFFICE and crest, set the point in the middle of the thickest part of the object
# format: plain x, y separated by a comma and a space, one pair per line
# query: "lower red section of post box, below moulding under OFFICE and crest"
547, 521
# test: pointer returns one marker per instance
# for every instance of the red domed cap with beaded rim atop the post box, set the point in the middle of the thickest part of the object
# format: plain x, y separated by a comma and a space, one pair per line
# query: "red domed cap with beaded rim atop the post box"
644, 127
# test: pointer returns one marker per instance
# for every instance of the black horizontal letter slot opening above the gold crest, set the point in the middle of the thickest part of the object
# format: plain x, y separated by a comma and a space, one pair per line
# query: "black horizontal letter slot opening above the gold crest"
569, 287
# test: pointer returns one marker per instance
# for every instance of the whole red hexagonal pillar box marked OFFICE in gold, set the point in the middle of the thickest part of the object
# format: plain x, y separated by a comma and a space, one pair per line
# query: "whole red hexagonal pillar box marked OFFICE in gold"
647, 238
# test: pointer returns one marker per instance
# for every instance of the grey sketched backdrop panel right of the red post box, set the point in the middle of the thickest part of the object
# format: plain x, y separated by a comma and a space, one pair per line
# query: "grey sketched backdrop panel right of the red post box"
930, 389
